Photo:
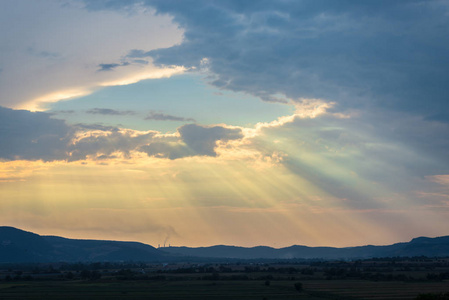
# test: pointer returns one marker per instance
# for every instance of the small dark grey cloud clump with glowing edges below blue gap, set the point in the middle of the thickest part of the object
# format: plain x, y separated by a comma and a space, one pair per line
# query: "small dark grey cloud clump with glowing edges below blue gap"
197, 140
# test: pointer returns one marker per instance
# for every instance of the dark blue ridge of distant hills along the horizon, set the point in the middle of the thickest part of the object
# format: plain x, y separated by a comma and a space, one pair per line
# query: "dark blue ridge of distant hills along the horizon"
18, 246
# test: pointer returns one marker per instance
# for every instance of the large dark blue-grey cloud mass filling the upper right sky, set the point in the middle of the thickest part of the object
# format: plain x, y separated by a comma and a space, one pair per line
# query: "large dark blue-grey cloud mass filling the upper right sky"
358, 54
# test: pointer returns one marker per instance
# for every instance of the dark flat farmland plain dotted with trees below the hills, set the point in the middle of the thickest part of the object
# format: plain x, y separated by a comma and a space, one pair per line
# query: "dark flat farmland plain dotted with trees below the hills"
368, 279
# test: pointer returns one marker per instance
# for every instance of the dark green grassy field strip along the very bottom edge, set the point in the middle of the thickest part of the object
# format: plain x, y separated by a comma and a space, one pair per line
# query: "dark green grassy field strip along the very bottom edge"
216, 290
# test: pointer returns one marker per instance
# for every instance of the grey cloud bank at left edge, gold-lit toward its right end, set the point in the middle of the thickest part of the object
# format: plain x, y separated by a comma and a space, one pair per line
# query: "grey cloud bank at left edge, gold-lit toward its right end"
29, 135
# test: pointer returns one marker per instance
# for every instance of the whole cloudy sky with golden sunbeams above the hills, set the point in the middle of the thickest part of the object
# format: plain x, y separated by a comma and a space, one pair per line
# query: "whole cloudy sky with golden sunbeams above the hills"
197, 123
